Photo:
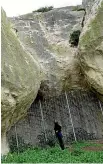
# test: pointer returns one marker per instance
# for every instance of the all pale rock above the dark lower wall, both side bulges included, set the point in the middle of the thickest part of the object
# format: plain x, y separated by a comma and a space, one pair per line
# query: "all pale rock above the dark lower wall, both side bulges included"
45, 44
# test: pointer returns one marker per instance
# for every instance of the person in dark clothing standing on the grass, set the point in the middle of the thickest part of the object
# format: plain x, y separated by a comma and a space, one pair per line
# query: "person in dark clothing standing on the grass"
58, 134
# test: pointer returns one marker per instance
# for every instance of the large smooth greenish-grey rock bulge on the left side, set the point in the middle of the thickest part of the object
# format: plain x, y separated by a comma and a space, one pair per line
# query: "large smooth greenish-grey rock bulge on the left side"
20, 78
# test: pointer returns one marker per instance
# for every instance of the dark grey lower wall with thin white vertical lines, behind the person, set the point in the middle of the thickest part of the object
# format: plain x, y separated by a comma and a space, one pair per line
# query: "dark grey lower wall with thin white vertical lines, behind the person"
39, 123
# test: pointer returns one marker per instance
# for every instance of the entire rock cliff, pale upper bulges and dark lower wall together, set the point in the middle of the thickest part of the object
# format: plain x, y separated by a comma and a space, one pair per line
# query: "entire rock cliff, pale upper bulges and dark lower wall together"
44, 39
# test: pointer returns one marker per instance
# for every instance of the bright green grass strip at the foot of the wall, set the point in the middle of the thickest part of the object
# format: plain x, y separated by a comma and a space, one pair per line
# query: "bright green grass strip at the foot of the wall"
56, 155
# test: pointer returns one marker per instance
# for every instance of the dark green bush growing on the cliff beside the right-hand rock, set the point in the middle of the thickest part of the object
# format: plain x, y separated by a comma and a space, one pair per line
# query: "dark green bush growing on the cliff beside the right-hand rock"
74, 38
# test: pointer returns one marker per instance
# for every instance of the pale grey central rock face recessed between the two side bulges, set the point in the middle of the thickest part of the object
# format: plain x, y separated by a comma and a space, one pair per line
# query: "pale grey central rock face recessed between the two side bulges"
48, 34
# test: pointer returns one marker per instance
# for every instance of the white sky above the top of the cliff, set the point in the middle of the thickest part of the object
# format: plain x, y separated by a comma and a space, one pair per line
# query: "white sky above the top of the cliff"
19, 7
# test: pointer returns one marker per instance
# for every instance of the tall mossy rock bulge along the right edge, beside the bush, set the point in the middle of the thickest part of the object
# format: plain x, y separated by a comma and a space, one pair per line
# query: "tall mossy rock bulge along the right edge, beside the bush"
91, 46
